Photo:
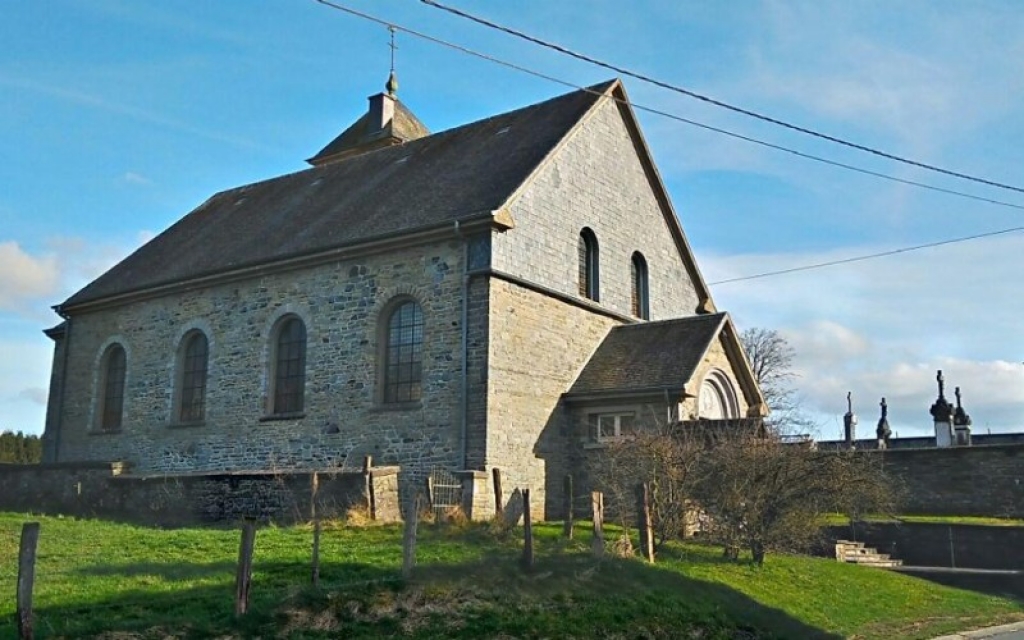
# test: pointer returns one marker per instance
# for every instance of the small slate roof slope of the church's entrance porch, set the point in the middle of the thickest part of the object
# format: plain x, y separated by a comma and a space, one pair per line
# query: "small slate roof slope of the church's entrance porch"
649, 356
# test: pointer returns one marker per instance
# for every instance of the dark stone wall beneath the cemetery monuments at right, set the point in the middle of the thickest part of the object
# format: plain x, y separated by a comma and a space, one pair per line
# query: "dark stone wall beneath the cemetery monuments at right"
986, 481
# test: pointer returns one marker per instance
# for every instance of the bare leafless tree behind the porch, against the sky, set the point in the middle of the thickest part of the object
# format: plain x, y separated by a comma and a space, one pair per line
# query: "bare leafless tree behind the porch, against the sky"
772, 358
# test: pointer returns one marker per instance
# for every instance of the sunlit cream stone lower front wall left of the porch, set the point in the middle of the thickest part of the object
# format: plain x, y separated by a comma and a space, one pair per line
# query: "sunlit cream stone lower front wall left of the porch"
539, 345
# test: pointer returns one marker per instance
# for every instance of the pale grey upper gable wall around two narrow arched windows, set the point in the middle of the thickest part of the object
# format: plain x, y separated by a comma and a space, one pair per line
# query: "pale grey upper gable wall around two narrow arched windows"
596, 181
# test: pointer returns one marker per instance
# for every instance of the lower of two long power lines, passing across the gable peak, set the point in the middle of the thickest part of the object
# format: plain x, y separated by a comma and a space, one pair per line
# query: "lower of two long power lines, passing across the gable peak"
662, 113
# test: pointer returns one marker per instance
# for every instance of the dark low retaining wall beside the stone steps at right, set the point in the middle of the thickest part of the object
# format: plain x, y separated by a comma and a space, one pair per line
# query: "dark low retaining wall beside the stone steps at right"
925, 544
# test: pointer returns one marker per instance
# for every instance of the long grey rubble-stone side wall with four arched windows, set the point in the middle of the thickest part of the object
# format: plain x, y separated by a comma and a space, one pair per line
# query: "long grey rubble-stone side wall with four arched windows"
340, 305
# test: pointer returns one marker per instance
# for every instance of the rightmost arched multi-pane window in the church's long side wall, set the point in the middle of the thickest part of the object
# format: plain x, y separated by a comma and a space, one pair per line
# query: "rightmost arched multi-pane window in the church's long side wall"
404, 354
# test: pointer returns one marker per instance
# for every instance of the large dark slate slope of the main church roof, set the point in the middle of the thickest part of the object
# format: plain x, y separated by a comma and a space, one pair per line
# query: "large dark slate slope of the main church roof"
460, 175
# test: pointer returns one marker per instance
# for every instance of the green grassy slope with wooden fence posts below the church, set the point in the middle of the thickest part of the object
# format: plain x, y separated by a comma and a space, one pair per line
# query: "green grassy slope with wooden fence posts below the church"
98, 579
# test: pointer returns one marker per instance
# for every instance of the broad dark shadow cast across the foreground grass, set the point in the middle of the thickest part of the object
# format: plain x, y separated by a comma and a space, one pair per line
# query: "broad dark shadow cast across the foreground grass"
566, 595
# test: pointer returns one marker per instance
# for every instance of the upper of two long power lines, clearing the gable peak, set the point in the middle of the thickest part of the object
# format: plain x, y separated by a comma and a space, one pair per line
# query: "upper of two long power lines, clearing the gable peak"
716, 103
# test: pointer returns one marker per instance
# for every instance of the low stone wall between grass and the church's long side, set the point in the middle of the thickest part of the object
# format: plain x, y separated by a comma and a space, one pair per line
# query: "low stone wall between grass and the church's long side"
102, 490
